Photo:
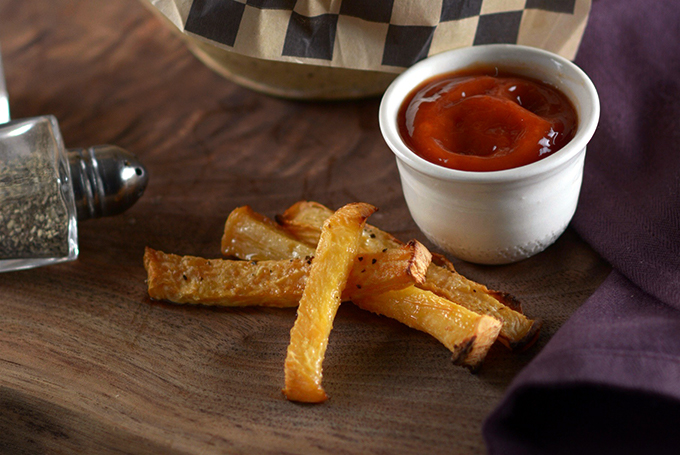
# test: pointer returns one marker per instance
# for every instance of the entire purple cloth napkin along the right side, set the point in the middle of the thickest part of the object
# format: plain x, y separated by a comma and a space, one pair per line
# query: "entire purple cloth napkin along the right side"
609, 380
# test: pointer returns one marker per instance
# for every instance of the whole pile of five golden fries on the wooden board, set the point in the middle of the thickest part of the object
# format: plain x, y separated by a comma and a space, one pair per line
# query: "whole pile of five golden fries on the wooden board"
314, 259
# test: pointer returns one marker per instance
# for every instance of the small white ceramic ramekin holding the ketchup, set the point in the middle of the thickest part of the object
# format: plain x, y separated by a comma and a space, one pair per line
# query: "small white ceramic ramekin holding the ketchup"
501, 216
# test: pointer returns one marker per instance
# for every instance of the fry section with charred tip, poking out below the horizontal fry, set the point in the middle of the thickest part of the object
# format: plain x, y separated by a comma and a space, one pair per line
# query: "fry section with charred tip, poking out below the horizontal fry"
468, 335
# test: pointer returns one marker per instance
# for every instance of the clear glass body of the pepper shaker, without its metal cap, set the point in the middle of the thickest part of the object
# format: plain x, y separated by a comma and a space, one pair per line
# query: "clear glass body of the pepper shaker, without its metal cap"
37, 210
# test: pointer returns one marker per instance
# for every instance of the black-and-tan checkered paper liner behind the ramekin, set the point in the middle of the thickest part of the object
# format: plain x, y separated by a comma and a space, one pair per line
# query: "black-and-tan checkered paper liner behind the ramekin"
381, 34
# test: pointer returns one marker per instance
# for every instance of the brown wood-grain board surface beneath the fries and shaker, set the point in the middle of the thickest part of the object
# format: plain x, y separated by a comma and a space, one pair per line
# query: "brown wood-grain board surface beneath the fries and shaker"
88, 364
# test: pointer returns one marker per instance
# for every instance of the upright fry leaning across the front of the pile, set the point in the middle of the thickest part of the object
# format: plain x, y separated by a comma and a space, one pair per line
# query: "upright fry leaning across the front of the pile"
334, 255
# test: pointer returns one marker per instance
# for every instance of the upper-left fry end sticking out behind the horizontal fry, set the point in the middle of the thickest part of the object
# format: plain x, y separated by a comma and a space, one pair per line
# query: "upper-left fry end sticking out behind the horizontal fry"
251, 236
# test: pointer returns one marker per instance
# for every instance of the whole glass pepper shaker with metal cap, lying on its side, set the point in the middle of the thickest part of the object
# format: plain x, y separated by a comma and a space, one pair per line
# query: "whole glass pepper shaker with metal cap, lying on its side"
45, 189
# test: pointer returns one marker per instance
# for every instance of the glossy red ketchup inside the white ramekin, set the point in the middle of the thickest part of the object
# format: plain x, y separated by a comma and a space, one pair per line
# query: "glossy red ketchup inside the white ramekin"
485, 120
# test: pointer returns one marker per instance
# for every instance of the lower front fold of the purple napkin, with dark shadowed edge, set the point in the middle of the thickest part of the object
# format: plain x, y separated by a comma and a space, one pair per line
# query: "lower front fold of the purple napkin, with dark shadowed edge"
608, 382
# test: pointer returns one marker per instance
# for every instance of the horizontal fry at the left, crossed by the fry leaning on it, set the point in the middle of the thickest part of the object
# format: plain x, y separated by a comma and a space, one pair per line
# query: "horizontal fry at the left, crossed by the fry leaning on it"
189, 279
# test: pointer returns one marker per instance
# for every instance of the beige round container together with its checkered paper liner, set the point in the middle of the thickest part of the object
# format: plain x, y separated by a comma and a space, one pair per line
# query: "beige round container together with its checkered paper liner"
349, 48
